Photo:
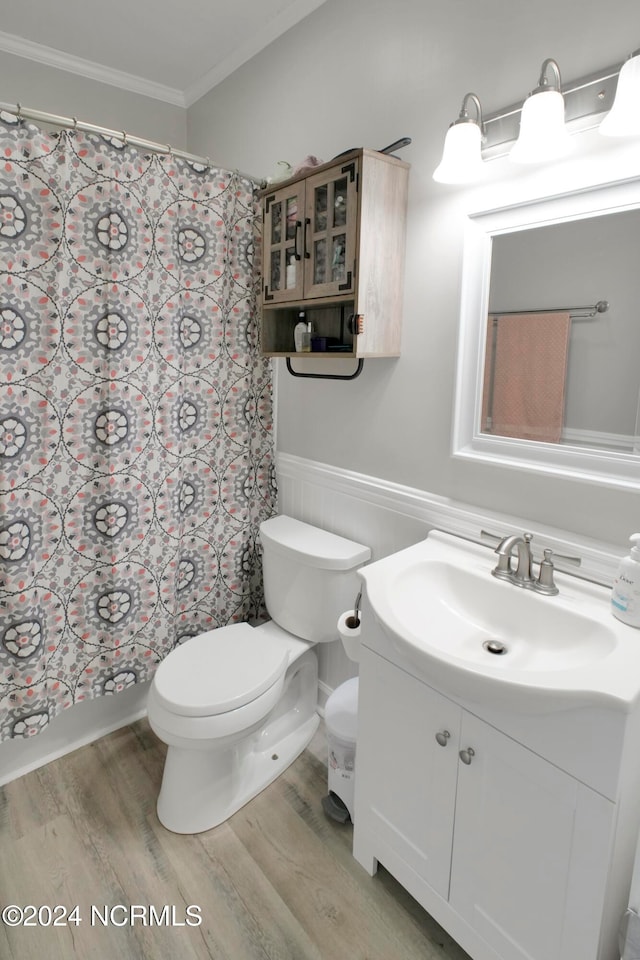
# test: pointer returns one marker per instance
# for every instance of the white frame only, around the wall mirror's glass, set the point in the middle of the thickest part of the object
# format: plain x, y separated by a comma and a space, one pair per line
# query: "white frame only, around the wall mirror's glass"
607, 467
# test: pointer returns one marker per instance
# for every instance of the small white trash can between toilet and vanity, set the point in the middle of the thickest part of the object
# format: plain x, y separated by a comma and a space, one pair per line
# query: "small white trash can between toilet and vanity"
341, 723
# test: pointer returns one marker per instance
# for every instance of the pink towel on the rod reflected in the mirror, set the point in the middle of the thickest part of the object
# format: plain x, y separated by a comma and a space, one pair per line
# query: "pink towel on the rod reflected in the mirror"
528, 377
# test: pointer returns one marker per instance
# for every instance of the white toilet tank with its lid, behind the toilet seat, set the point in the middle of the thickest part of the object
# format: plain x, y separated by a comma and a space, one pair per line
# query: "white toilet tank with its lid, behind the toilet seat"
309, 576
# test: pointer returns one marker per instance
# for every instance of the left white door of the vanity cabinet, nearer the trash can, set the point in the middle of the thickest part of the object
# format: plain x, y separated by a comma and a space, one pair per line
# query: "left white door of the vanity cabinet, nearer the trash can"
405, 777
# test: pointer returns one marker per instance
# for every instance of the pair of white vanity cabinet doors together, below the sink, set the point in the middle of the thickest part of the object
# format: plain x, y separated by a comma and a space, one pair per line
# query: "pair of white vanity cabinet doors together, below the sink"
508, 851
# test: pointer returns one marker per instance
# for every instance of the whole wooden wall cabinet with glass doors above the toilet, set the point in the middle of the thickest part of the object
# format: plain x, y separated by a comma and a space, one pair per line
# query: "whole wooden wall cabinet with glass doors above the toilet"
333, 247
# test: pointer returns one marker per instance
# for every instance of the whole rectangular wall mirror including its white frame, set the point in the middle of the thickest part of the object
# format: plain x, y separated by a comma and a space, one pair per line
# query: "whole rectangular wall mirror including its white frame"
549, 355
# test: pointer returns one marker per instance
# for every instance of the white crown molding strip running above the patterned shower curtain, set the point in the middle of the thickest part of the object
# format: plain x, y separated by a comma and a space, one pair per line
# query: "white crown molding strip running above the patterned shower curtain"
91, 71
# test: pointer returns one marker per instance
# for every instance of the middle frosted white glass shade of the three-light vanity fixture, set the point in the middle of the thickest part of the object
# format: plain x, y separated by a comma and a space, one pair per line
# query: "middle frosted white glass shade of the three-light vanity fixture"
543, 135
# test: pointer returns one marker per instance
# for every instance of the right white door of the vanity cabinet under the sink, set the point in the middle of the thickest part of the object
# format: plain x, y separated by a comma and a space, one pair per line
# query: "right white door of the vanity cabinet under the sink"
530, 853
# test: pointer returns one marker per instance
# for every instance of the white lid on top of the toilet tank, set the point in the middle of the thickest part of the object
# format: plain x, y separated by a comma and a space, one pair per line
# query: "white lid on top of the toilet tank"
311, 545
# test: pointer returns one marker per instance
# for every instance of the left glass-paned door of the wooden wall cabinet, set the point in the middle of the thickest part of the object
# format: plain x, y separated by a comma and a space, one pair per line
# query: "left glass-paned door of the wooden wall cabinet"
282, 242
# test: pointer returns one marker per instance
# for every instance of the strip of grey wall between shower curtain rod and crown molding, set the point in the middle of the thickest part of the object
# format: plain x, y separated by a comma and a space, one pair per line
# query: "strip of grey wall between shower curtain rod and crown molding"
66, 94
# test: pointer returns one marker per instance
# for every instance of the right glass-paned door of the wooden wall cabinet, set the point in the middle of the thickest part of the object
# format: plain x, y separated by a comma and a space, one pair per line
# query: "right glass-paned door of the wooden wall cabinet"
330, 234
